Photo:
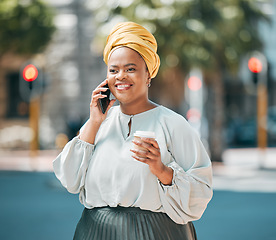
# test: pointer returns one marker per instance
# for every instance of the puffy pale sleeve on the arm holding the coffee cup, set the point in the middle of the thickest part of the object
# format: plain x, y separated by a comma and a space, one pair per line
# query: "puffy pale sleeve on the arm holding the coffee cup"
187, 198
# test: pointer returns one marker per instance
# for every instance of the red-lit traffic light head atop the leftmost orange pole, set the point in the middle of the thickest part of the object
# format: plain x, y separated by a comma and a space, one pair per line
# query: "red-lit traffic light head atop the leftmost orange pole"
30, 82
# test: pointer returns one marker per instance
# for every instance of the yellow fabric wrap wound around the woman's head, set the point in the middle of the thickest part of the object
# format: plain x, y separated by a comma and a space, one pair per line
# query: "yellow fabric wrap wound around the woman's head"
136, 37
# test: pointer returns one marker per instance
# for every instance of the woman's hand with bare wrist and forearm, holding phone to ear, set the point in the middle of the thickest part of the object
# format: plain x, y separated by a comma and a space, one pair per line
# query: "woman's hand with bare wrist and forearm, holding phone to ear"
91, 127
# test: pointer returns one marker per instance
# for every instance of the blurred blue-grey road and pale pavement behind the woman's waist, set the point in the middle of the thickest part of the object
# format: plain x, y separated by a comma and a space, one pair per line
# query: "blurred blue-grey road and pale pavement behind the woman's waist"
35, 206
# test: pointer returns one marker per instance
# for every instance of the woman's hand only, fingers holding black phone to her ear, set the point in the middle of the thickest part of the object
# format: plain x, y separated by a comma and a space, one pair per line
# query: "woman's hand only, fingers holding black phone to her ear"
96, 114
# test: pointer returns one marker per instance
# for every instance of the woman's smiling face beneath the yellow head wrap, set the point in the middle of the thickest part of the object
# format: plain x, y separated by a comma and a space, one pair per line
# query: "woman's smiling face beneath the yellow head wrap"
128, 77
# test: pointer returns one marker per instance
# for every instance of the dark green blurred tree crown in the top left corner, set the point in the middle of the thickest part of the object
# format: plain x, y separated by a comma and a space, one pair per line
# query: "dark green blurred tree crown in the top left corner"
26, 26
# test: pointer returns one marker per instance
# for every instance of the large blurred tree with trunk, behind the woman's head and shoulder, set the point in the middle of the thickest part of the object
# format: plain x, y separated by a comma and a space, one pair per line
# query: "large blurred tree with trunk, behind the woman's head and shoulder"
211, 35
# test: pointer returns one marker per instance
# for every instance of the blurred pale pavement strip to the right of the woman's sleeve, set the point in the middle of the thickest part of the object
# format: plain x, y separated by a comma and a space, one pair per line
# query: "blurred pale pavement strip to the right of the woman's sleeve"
246, 170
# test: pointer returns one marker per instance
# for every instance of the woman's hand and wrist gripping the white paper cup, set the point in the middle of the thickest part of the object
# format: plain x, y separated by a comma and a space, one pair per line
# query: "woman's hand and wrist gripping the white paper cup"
152, 156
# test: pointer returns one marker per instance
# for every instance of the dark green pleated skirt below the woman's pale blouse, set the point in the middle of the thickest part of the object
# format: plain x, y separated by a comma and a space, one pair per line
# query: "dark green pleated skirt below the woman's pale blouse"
121, 223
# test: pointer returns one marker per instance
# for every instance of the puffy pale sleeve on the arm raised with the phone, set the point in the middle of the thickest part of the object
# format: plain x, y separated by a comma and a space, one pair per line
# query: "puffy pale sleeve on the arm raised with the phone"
71, 164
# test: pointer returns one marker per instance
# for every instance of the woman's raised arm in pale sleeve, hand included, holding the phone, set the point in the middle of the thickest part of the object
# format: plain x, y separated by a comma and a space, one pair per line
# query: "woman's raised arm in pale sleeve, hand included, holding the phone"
71, 164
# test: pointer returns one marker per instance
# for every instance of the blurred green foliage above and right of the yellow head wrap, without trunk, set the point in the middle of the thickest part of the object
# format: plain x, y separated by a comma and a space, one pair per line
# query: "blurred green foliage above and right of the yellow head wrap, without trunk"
191, 33
